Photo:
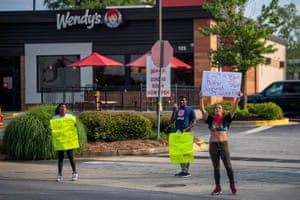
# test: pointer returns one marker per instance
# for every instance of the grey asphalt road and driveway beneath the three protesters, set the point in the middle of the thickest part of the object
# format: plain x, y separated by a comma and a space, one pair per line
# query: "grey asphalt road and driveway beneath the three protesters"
270, 176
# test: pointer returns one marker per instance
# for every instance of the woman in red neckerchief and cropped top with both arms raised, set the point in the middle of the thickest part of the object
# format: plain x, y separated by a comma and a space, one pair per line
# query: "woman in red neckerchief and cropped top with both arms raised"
218, 144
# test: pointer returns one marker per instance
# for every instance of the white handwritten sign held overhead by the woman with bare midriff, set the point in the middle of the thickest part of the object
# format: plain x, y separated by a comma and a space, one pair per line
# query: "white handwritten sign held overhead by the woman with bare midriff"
226, 84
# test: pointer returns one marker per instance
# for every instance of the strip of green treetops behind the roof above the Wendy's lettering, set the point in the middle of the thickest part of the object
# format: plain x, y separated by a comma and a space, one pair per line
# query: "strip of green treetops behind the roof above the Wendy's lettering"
91, 4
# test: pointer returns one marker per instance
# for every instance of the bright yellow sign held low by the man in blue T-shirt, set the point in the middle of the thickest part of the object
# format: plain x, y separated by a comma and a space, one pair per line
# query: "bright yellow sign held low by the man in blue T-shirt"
181, 147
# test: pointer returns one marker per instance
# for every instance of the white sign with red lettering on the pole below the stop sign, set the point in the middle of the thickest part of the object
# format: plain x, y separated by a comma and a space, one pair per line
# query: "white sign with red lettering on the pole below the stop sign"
152, 78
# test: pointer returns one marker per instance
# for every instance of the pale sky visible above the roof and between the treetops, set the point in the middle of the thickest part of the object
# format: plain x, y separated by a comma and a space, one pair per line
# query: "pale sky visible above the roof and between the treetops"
253, 7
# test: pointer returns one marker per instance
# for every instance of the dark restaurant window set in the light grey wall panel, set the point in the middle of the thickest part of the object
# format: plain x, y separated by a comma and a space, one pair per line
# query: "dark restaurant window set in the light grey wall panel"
54, 73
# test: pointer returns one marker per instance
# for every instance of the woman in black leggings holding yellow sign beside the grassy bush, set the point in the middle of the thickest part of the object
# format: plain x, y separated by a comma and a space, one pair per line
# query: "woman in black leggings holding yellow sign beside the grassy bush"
60, 116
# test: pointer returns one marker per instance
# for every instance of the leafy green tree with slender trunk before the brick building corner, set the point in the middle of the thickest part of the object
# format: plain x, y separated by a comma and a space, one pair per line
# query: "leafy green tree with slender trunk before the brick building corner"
243, 41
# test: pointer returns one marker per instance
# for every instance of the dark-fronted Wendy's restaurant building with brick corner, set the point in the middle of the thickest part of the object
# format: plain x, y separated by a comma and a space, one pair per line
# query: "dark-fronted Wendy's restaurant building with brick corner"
36, 48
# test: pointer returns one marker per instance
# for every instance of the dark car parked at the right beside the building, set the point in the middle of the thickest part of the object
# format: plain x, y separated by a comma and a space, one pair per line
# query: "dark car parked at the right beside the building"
286, 94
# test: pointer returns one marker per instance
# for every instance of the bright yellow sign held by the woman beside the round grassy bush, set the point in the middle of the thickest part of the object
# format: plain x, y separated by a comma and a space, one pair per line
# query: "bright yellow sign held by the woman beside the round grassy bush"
64, 133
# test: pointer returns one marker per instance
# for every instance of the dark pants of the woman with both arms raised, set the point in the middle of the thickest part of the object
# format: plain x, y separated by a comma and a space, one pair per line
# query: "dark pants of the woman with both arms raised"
219, 150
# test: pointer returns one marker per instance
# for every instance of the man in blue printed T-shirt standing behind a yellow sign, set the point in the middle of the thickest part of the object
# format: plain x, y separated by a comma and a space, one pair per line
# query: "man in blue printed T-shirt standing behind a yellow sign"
184, 118
